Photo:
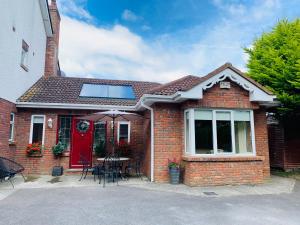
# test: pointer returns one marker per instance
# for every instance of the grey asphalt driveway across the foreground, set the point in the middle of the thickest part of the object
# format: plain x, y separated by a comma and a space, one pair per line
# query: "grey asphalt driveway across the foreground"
129, 205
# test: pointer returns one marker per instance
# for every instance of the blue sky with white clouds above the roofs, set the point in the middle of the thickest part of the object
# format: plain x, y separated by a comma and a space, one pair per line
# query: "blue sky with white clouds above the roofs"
161, 40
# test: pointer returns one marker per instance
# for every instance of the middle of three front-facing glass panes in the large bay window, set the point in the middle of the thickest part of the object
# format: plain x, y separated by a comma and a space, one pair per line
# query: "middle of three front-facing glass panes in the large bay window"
224, 141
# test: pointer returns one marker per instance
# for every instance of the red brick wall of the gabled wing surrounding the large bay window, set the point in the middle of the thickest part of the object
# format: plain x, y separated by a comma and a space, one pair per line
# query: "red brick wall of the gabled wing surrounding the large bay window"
169, 142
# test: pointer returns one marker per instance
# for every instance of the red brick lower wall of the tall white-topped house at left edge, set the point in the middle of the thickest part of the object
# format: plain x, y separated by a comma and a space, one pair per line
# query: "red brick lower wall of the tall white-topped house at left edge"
6, 149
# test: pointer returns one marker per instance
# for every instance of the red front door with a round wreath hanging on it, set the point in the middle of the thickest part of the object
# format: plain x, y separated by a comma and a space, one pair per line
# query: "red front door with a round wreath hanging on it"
82, 141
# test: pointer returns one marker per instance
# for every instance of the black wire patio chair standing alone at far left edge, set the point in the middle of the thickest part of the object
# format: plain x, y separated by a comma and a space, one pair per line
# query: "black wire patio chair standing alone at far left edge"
9, 168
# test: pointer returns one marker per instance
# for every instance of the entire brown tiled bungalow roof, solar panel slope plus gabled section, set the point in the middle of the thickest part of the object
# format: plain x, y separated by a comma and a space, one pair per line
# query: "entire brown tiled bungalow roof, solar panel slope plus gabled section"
67, 89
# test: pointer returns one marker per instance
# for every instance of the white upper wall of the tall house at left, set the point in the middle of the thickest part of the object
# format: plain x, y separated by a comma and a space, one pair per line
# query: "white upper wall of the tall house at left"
26, 17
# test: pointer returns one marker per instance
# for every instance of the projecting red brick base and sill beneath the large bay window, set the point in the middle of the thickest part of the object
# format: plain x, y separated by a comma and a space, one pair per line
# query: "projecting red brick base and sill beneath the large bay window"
223, 170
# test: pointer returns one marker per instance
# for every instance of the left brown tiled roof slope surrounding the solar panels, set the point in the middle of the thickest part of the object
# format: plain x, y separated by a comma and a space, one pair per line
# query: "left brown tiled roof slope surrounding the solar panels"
67, 90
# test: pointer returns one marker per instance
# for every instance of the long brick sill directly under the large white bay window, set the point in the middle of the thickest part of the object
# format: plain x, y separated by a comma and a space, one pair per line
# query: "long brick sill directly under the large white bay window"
221, 158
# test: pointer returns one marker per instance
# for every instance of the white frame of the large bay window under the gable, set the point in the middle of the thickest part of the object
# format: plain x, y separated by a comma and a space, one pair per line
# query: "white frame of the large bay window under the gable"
191, 137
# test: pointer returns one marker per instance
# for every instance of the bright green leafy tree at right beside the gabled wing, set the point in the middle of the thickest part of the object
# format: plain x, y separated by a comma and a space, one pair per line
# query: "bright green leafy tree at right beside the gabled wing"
275, 63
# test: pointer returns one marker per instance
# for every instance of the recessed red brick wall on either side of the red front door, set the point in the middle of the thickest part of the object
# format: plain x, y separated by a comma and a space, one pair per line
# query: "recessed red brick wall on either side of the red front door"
44, 164
